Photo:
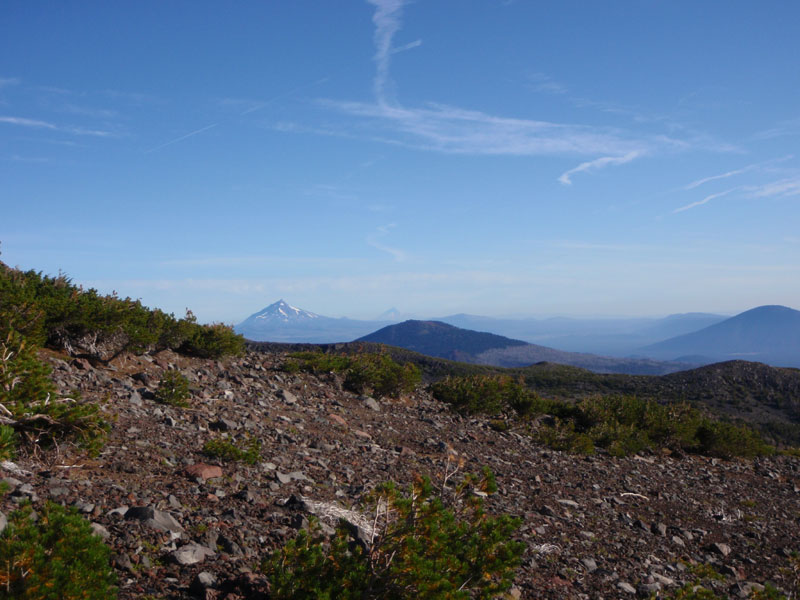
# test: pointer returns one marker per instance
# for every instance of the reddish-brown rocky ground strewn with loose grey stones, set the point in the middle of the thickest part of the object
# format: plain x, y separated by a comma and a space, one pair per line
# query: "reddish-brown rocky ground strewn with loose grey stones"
182, 525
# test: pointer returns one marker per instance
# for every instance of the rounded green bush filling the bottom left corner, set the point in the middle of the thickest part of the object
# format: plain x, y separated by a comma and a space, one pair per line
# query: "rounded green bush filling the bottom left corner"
53, 557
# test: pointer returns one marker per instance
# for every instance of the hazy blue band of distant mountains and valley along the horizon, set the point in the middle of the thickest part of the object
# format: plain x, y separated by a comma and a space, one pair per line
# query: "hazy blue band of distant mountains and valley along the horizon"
768, 334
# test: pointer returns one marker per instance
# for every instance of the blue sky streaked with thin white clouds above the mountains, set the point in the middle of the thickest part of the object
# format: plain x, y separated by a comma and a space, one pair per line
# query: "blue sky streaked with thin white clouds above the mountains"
494, 157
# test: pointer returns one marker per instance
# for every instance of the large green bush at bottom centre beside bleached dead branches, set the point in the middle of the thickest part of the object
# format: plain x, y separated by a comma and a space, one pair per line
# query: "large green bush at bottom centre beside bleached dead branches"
420, 547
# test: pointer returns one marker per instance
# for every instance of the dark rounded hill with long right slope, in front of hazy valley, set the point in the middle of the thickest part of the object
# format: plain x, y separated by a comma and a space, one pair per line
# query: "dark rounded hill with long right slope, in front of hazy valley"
447, 341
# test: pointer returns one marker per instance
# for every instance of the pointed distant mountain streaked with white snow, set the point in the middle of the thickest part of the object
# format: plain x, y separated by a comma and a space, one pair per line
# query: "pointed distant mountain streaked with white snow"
281, 322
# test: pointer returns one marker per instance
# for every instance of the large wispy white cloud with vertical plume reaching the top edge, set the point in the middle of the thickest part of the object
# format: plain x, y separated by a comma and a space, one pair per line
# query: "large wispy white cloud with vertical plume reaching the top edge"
449, 129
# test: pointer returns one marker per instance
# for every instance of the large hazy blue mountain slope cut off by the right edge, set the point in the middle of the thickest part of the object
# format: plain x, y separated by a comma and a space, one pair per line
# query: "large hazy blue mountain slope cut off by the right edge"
769, 334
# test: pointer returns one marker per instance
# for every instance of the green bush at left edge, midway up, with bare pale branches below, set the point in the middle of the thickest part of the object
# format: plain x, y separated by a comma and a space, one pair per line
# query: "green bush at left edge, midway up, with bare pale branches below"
31, 408
